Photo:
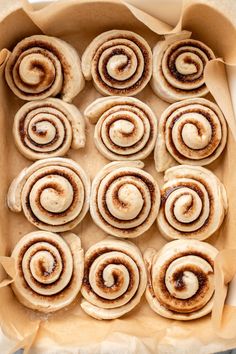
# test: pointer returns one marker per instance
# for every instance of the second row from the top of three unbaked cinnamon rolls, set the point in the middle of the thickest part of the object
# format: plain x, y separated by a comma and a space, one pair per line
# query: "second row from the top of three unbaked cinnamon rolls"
192, 131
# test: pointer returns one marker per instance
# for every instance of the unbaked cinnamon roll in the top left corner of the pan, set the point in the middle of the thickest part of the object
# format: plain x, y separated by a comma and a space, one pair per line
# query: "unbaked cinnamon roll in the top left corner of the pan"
42, 66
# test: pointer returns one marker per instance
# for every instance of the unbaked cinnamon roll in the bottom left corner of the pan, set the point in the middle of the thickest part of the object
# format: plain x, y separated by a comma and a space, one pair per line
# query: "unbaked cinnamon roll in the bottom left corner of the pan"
49, 270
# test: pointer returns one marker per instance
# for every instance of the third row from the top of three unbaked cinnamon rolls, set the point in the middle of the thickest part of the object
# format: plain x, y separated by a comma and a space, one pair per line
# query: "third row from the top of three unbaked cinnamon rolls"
124, 200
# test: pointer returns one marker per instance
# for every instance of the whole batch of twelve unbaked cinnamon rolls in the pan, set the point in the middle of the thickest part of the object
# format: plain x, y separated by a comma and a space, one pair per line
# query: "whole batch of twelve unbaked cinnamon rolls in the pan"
55, 193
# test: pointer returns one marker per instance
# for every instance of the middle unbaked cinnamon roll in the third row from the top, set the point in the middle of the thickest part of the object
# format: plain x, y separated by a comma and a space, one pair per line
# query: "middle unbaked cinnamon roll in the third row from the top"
124, 199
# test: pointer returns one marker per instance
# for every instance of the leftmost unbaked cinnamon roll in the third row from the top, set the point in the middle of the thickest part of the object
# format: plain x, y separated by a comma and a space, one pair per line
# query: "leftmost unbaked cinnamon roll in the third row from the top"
53, 194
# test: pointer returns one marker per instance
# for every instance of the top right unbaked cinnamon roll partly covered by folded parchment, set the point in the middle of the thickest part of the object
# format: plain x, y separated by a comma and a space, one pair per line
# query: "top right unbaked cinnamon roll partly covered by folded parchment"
178, 67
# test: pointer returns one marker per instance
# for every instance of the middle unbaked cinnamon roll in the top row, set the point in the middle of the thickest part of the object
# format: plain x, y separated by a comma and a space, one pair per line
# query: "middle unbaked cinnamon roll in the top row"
119, 62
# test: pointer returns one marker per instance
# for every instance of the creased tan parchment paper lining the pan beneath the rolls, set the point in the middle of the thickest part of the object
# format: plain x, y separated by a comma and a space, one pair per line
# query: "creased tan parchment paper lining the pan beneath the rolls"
140, 331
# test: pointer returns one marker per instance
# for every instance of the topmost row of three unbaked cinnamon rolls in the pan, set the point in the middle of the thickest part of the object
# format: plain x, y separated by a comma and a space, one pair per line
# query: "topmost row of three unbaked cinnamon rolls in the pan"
119, 62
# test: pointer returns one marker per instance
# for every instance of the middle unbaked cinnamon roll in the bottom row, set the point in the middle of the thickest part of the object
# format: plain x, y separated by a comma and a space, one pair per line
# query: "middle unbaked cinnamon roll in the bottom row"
114, 279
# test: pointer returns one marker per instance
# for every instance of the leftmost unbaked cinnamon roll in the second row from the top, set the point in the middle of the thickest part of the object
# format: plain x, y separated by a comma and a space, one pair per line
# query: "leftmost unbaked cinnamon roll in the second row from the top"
48, 128
